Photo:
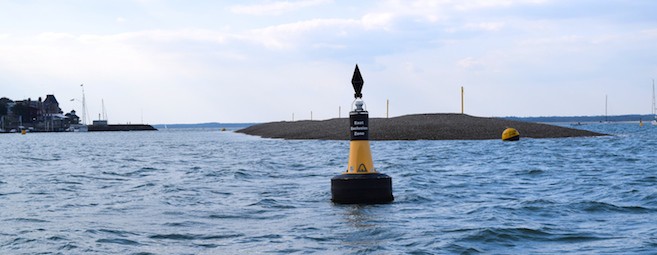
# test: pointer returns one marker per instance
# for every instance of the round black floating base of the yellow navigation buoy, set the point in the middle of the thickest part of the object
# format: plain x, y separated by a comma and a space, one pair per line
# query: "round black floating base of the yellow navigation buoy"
375, 188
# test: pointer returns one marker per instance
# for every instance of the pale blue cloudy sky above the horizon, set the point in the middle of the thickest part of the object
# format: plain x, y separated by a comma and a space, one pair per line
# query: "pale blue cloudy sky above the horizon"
174, 61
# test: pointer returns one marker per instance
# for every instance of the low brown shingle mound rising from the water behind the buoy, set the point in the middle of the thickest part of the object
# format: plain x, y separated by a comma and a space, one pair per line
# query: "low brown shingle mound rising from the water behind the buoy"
414, 127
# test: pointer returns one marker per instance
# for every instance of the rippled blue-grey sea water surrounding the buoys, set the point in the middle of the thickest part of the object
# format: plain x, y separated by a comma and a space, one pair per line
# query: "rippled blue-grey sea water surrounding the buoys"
192, 191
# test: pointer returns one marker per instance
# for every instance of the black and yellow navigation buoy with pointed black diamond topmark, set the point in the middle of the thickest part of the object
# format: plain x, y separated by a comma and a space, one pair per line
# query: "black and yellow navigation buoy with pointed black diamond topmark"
361, 183
